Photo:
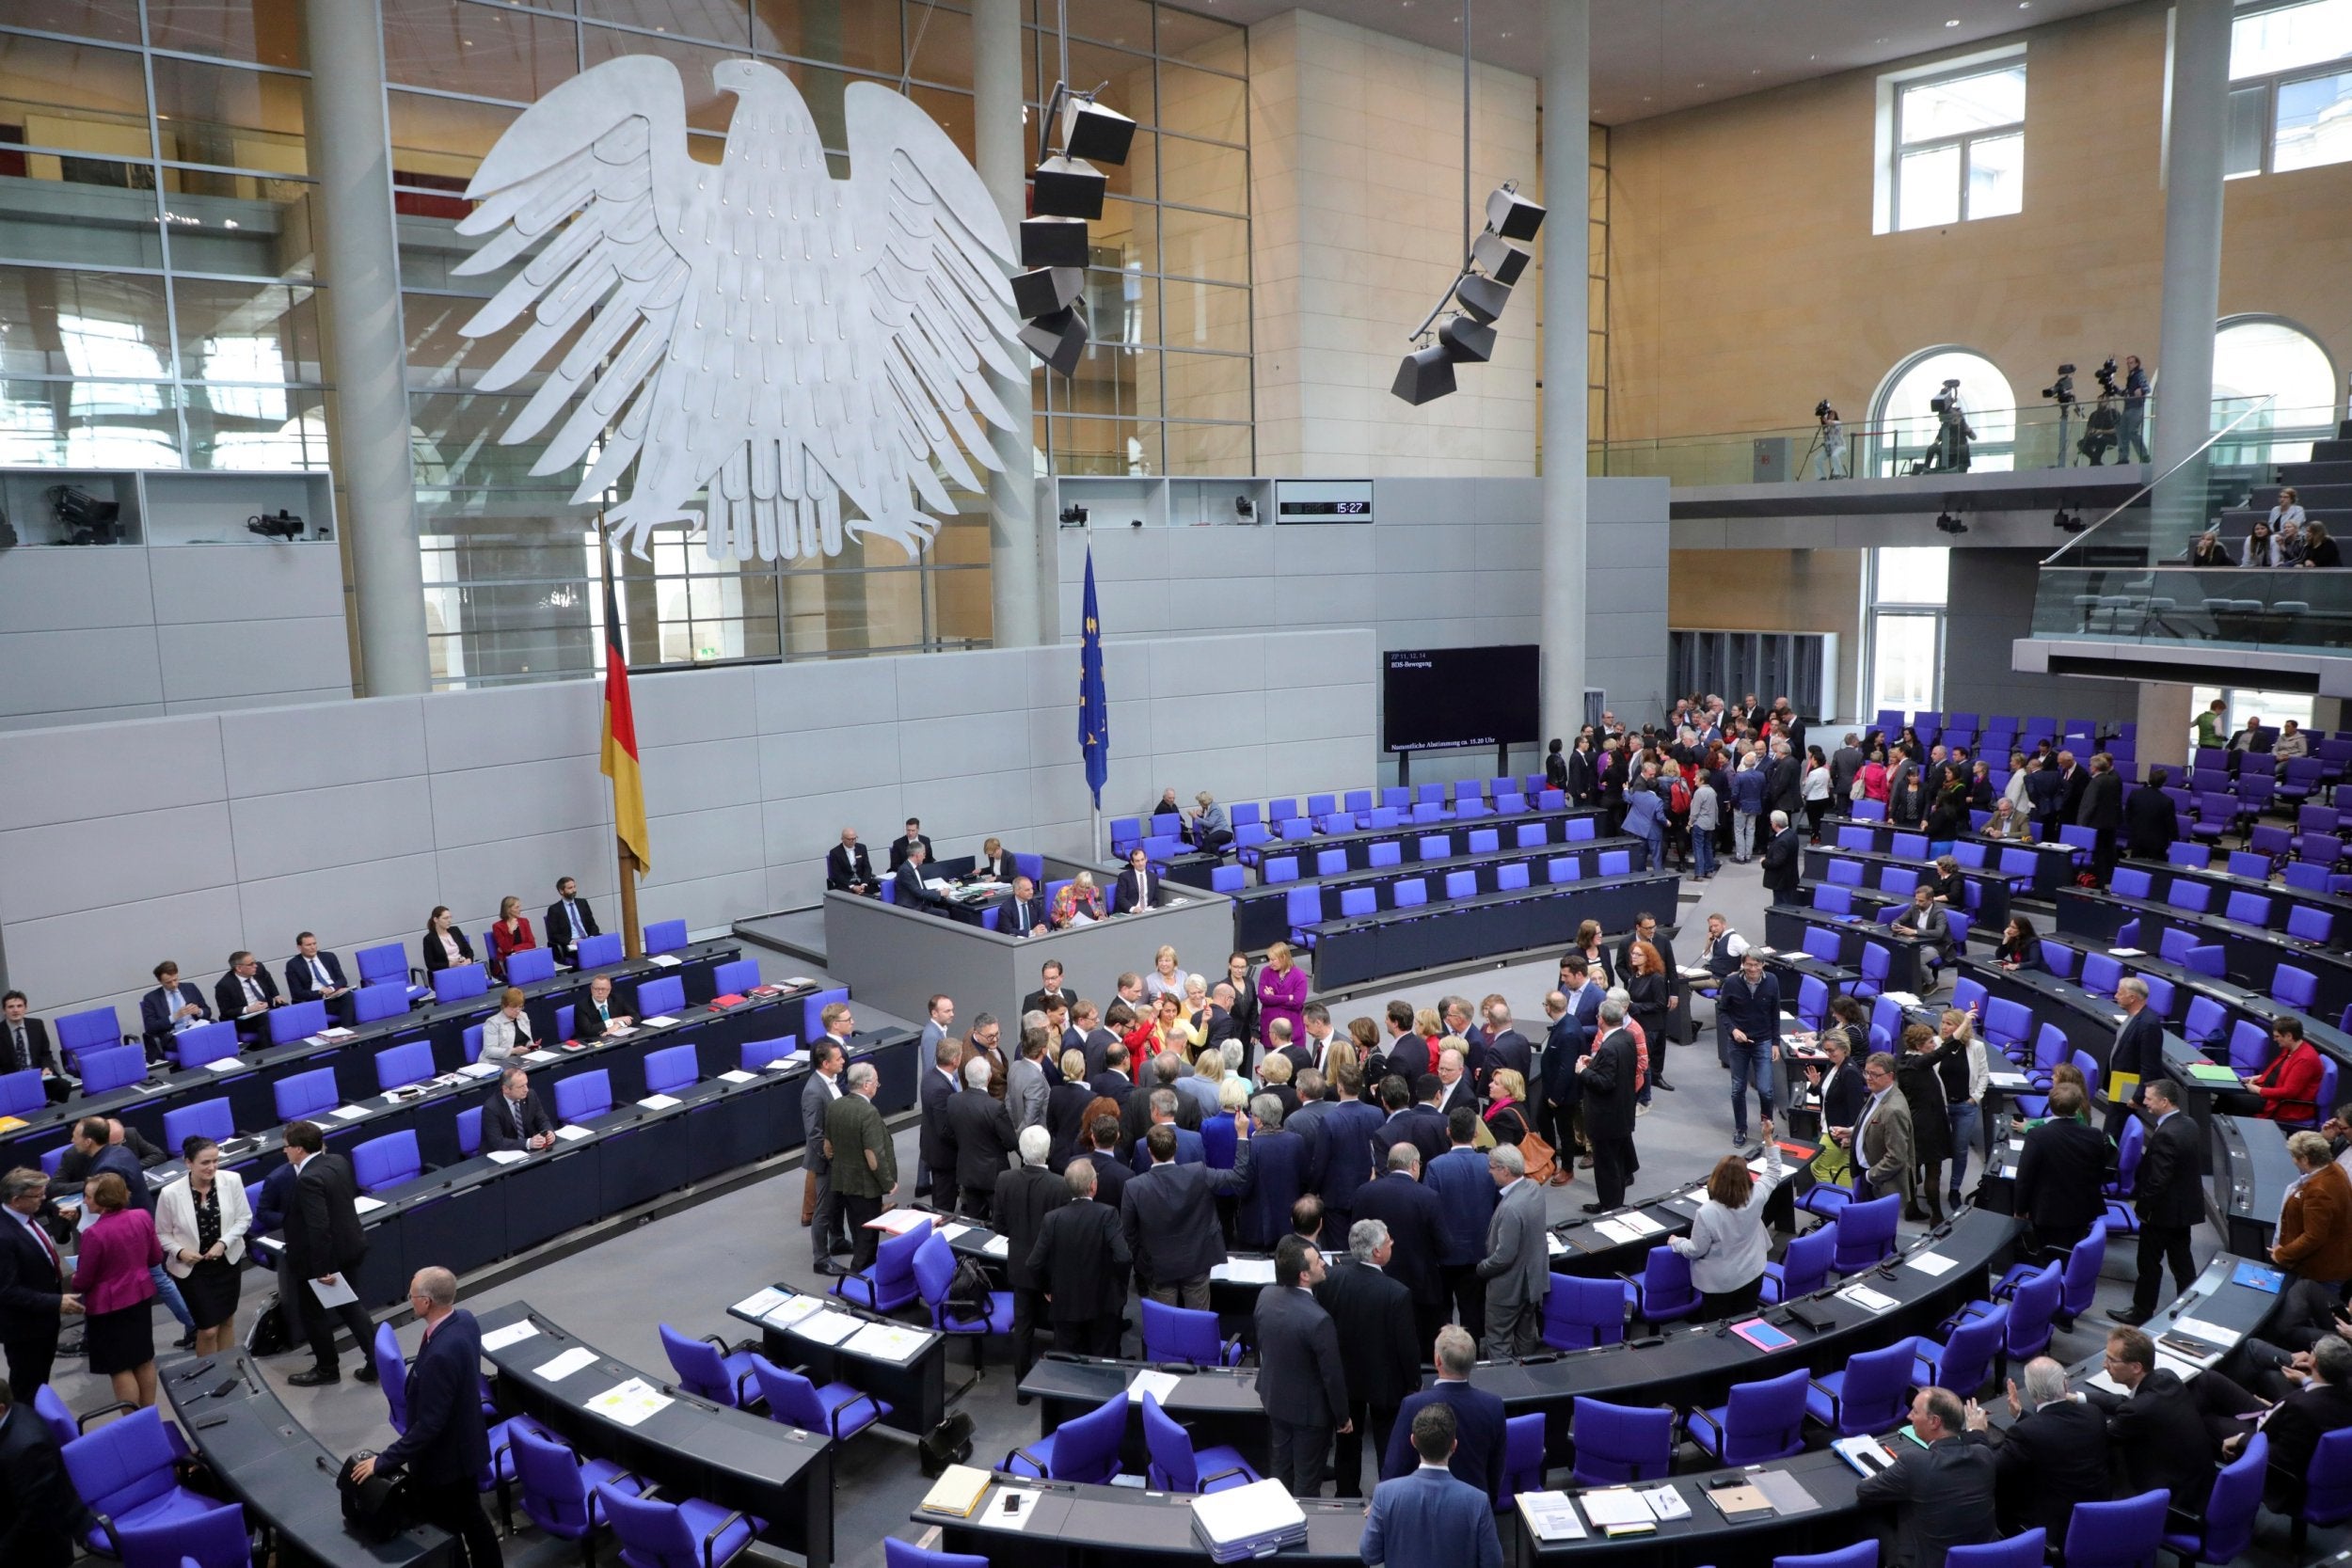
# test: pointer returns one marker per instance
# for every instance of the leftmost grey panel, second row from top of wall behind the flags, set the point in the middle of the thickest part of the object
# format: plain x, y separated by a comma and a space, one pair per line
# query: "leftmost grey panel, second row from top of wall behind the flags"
102, 862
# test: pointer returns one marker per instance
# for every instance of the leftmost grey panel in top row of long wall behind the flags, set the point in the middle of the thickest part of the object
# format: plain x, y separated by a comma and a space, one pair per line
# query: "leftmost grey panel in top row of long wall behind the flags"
109, 770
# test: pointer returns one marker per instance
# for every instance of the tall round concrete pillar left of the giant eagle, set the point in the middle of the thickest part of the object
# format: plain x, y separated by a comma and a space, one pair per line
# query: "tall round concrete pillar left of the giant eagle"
361, 267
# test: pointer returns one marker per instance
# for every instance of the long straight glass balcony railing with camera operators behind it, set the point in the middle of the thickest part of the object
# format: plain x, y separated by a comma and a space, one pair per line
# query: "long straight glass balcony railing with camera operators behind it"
2005, 441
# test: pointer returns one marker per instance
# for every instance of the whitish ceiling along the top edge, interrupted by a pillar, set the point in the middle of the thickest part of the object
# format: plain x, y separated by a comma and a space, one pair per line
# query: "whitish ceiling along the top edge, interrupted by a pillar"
1659, 55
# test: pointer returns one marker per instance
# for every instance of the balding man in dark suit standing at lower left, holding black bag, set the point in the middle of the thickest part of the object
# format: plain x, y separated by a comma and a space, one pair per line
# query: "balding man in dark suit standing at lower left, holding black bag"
446, 1447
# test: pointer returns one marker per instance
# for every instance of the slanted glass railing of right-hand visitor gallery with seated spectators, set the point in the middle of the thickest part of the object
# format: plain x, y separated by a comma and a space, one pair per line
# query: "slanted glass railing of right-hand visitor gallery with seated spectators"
2132, 575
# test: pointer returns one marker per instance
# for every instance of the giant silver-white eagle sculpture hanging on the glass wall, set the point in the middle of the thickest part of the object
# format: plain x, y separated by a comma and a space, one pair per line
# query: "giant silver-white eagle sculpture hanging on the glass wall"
787, 340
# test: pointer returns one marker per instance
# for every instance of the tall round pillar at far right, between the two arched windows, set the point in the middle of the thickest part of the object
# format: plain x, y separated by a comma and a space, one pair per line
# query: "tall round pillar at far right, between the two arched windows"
2196, 140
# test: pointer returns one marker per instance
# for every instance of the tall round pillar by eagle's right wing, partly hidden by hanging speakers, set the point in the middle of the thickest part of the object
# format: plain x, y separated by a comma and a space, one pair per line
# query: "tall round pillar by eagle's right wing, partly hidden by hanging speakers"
1003, 142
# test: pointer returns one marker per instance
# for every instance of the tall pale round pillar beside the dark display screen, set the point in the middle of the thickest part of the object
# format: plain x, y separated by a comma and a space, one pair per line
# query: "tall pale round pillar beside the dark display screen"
1568, 114
